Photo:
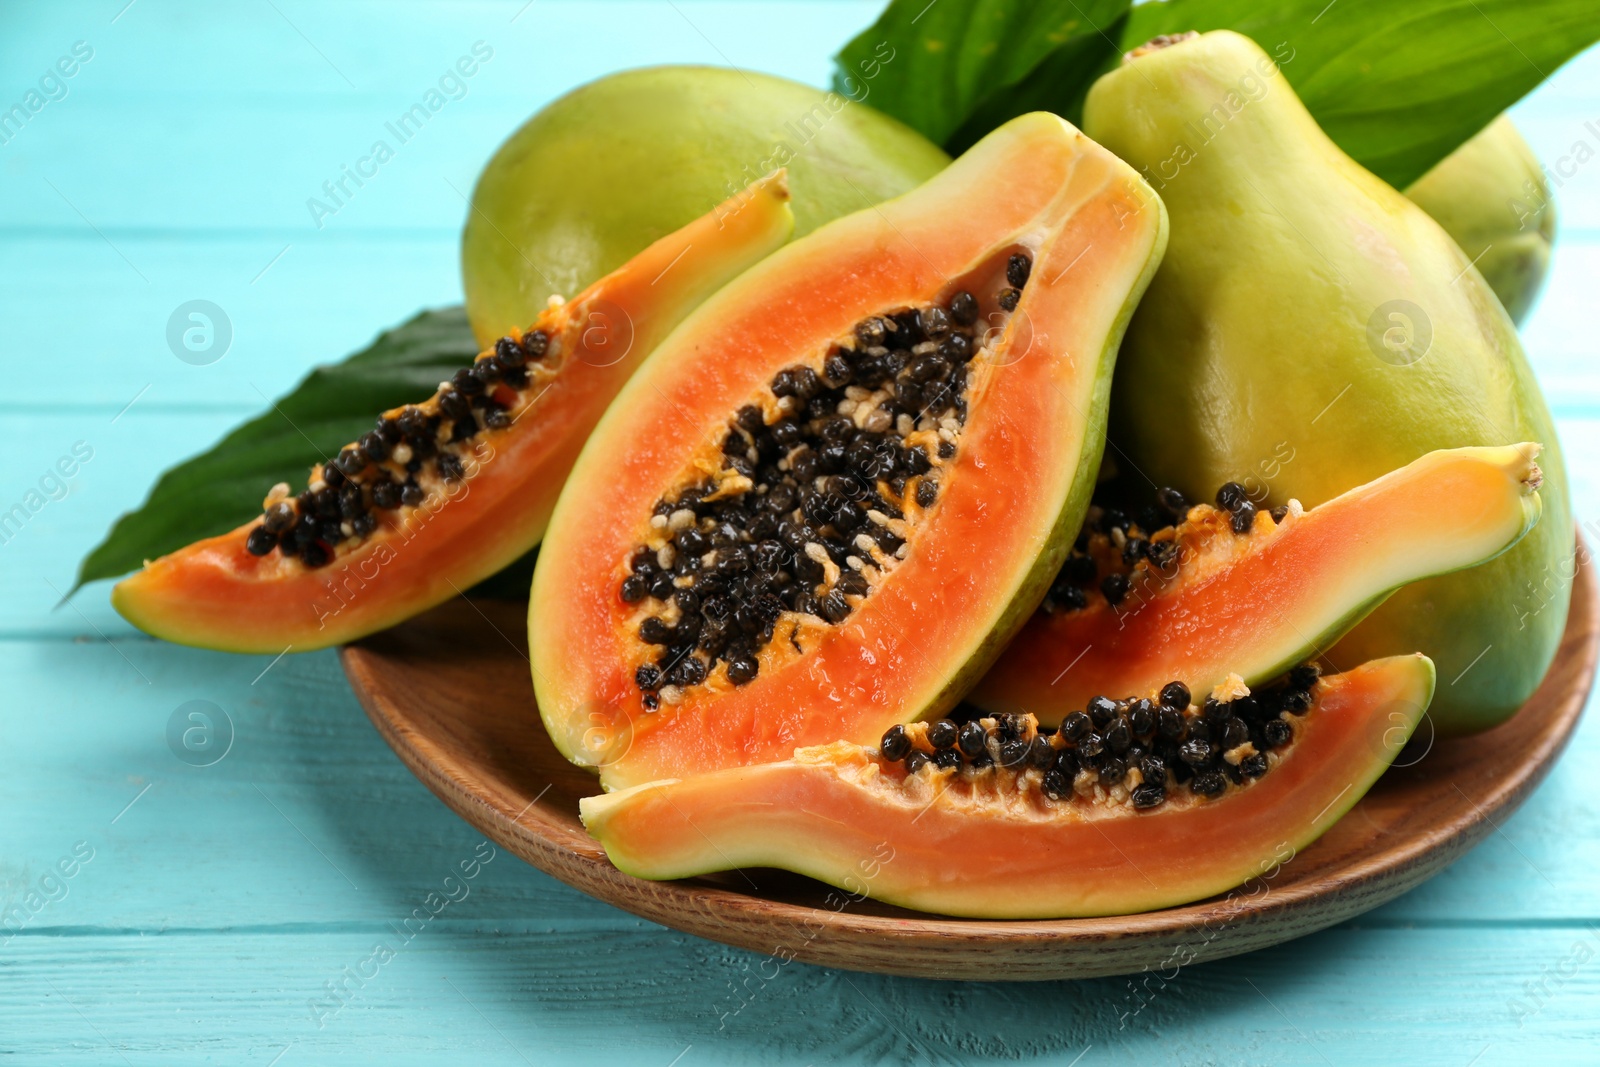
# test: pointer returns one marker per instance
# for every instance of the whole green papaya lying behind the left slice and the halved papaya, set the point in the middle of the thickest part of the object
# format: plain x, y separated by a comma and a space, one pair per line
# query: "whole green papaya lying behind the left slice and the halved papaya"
618, 164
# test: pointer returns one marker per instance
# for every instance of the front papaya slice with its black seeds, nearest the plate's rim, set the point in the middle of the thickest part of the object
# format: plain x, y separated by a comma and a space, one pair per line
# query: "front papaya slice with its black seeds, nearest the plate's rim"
1050, 837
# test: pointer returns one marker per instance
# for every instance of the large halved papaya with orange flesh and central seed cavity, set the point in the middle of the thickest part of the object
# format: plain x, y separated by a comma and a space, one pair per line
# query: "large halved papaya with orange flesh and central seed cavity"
828, 500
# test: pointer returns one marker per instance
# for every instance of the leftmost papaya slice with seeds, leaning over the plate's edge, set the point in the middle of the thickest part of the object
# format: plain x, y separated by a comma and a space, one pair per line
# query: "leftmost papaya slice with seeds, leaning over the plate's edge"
444, 494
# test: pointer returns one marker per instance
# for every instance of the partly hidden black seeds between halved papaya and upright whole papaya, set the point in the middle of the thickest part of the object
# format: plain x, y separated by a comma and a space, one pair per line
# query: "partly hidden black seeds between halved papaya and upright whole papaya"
1118, 540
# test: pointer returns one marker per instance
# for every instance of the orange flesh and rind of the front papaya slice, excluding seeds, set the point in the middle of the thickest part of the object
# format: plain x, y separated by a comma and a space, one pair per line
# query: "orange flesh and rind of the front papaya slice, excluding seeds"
993, 845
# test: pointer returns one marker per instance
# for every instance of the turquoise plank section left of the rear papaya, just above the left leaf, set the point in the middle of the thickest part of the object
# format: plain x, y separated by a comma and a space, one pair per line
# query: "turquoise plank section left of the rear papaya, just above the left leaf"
316, 305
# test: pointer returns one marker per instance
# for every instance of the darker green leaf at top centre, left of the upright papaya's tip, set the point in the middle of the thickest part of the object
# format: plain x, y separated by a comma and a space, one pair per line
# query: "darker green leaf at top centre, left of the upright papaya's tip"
938, 65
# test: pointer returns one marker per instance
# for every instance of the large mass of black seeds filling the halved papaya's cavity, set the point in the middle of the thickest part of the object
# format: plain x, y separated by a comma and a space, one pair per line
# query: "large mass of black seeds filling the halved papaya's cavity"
814, 497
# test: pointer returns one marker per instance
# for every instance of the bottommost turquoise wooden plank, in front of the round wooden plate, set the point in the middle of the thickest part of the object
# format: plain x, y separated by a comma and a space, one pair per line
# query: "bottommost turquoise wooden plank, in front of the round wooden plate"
1487, 996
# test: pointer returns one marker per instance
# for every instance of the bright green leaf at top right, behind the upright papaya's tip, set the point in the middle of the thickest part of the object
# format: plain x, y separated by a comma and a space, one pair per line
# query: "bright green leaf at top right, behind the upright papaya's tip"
1398, 84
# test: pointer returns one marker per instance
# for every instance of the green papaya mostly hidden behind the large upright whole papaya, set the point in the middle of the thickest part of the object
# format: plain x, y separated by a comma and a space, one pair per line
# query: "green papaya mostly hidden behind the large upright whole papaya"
1494, 199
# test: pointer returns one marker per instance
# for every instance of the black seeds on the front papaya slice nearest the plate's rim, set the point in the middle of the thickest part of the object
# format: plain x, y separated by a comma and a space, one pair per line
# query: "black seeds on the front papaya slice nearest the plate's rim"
1154, 749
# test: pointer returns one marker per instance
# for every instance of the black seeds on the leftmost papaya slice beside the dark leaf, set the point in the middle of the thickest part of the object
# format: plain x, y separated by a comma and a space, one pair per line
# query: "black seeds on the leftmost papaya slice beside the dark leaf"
380, 471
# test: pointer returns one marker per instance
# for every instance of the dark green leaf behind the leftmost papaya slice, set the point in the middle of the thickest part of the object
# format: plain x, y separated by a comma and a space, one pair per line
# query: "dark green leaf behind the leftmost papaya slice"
223, 487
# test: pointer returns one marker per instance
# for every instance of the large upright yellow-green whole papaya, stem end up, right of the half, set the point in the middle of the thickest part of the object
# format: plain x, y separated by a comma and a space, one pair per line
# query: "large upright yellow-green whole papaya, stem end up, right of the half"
1313, 329
